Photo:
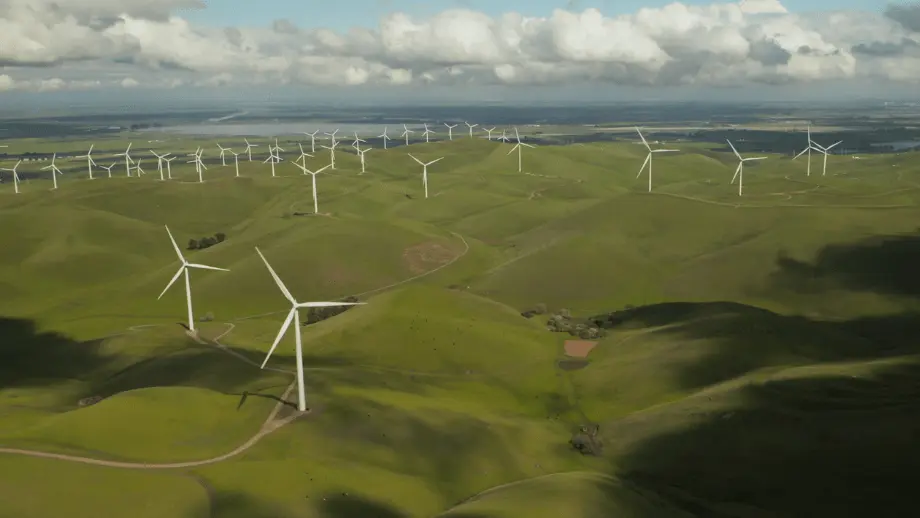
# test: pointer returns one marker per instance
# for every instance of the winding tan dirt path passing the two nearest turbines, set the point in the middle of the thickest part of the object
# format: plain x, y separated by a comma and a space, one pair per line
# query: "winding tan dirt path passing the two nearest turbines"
268, 426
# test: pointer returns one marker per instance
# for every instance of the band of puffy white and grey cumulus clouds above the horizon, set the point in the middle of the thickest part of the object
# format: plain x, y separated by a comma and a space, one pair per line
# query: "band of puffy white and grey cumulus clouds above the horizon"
721, 44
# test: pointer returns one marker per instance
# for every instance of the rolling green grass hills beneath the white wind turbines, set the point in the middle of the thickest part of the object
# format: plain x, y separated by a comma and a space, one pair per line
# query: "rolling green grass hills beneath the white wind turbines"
760, 350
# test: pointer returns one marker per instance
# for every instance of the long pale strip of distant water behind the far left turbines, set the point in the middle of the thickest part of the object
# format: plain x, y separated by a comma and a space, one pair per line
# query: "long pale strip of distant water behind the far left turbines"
266, 129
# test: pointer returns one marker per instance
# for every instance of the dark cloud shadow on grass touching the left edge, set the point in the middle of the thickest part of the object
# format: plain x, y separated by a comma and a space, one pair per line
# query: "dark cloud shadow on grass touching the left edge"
29, 357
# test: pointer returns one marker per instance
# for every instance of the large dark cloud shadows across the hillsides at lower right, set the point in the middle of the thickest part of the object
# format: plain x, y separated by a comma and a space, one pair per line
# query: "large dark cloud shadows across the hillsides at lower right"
842, 443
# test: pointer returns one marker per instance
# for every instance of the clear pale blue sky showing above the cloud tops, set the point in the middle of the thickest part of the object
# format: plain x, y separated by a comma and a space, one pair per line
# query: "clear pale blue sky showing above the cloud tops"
349, 13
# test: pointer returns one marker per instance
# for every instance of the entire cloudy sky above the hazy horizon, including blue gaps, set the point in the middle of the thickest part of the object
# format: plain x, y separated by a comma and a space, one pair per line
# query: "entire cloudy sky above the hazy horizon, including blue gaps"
465, 50
